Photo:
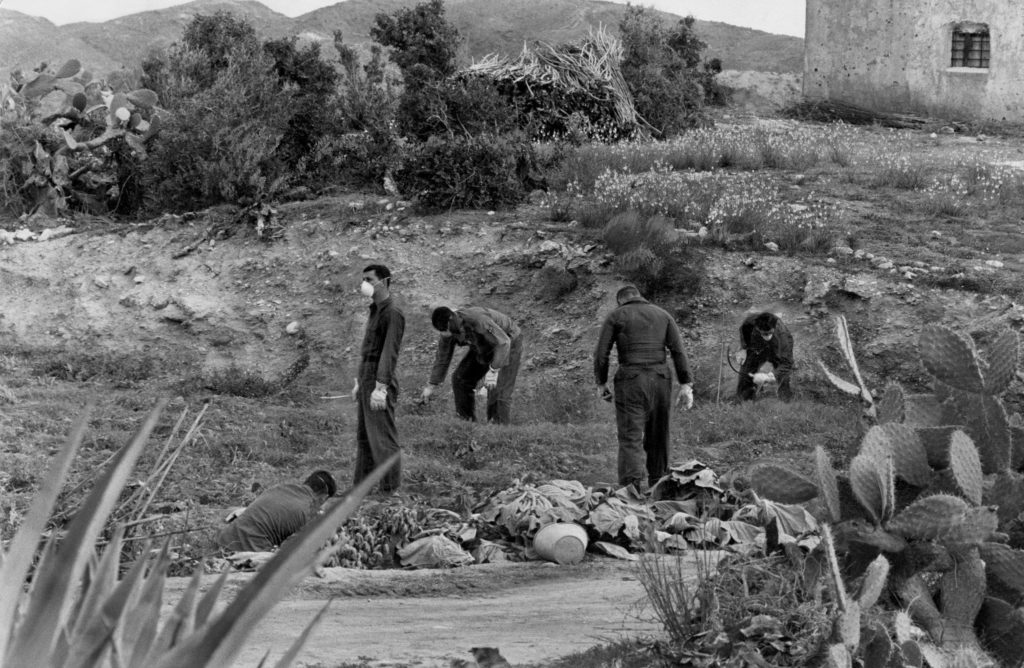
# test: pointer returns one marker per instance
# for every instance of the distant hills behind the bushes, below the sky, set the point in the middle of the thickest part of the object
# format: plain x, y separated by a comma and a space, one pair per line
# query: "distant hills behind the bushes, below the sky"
487, 26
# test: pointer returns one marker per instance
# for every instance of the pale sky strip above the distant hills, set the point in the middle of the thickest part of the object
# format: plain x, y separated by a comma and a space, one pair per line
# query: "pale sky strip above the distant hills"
782, 17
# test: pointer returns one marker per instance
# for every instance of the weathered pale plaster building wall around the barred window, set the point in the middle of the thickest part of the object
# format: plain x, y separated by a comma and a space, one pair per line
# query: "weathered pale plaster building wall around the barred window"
894, 56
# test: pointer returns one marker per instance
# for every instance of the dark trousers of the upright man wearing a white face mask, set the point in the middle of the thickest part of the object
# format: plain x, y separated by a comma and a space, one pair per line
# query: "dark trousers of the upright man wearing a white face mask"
376, 436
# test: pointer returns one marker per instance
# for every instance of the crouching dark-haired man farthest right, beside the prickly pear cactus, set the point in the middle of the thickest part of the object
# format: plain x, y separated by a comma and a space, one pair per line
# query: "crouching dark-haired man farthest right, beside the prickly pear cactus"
763, 338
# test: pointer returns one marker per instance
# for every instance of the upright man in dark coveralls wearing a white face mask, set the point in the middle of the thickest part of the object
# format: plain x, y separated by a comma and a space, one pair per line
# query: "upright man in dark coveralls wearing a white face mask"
377, 385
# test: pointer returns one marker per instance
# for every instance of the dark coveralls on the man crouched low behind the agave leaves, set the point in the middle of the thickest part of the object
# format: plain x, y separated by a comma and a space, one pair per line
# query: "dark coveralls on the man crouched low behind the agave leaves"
269, 521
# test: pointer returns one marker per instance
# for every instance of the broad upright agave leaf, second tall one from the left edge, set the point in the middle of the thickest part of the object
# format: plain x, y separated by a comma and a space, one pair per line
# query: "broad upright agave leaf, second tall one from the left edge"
55, 589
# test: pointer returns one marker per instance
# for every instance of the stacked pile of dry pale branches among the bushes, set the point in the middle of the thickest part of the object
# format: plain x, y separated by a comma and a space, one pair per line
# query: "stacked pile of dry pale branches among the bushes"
551, 83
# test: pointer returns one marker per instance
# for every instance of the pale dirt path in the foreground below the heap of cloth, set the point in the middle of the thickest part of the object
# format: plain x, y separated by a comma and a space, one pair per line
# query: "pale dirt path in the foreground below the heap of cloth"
533, 612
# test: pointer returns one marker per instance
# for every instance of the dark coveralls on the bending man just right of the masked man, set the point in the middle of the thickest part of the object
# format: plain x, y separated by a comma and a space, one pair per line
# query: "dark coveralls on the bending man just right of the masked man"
495, 342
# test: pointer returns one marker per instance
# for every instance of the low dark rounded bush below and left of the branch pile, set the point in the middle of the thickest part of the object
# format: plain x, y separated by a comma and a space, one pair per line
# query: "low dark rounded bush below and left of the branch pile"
486, 172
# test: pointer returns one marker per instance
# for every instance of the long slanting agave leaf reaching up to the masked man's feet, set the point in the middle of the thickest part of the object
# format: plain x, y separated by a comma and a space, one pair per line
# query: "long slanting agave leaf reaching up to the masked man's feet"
219, 643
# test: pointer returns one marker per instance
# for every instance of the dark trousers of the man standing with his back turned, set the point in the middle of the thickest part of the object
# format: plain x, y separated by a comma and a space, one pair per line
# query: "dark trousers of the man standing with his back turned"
644, 406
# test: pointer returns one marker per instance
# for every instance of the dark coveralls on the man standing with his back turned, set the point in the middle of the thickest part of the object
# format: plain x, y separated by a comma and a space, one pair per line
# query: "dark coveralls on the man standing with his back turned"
642, 333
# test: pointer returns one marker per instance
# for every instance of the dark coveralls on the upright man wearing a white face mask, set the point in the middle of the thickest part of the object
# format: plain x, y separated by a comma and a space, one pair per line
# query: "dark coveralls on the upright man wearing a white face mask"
377, 435
